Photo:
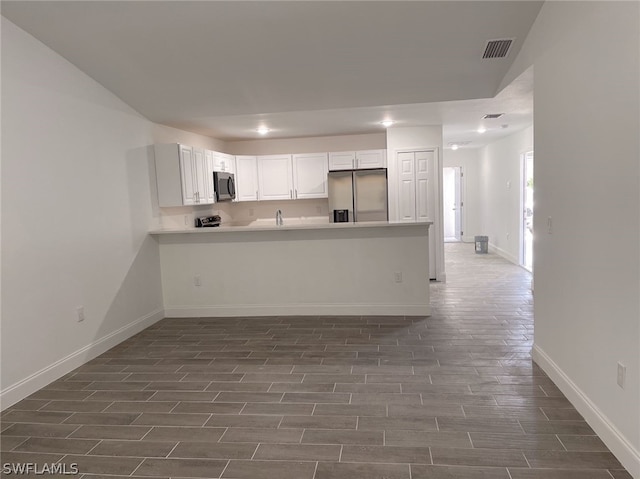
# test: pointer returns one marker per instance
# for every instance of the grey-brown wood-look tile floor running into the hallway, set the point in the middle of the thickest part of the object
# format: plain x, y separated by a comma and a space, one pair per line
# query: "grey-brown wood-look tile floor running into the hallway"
454, 395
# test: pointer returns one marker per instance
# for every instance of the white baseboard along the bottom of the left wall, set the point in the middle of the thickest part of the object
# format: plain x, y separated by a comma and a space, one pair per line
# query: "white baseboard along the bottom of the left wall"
39, 379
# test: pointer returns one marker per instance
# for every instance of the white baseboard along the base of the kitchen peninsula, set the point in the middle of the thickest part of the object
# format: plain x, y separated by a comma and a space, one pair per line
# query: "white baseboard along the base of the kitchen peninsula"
297, 310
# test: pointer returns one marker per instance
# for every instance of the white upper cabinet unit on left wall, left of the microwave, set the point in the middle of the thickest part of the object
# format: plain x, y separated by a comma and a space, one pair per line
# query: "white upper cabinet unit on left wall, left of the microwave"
181, 175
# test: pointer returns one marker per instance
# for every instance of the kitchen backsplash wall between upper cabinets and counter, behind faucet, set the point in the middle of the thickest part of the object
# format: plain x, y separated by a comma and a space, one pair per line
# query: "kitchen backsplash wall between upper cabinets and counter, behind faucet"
245, 212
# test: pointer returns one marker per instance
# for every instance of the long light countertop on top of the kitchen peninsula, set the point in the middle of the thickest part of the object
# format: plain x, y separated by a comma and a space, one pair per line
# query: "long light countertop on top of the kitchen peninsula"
291, 225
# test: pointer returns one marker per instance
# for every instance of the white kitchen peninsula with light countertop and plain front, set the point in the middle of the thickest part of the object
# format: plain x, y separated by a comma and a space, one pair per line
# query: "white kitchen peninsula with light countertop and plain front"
261, 269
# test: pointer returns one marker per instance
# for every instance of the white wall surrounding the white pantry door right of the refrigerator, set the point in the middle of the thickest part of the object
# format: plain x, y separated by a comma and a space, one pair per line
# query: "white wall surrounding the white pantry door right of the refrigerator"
415, 138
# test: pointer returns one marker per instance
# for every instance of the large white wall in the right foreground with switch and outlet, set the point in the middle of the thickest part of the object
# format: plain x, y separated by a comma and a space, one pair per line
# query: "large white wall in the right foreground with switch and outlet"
587, 271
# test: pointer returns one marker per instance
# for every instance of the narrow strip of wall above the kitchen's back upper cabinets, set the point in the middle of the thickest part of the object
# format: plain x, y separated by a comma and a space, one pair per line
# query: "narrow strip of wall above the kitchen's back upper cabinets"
274, 146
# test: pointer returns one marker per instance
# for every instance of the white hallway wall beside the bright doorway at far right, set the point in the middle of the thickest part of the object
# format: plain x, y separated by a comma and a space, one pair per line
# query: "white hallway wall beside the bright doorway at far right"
500, 192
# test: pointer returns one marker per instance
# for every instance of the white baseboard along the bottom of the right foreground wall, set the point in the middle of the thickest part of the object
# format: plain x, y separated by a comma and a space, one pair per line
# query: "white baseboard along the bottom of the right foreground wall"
610, 435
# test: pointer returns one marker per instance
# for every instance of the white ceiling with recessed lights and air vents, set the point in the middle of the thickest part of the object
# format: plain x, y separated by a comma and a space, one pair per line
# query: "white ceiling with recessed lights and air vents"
303, 68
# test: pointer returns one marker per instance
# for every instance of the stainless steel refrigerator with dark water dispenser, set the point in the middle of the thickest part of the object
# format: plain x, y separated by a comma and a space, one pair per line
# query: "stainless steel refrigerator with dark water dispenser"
358, 195
